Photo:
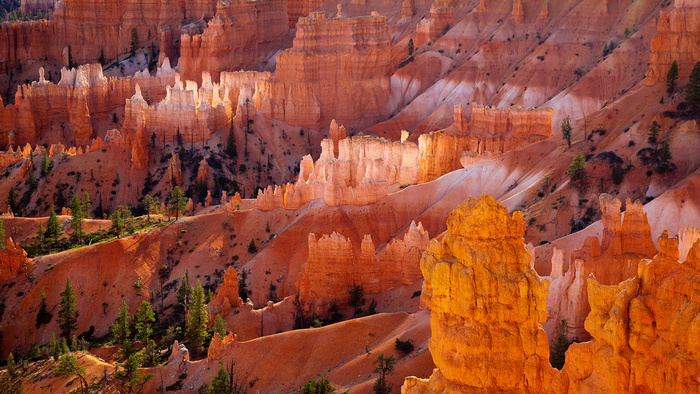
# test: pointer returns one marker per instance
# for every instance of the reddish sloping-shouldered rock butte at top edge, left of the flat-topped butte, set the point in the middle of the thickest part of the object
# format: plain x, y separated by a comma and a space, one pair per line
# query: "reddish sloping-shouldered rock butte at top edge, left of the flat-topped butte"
238, 36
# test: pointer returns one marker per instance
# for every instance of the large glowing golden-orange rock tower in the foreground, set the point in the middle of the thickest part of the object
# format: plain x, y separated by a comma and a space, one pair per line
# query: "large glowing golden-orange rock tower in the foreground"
486, 303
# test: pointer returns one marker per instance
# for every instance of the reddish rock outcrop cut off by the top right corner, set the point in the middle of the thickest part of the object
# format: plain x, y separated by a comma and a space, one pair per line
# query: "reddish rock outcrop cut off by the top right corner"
677, 38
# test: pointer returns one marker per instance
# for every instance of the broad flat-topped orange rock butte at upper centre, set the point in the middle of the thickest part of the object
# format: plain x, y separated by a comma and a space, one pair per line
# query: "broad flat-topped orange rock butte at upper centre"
337, 69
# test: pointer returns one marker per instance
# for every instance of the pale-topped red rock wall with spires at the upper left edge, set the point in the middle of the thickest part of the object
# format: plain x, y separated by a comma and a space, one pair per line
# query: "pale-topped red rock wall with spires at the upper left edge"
81, 98
